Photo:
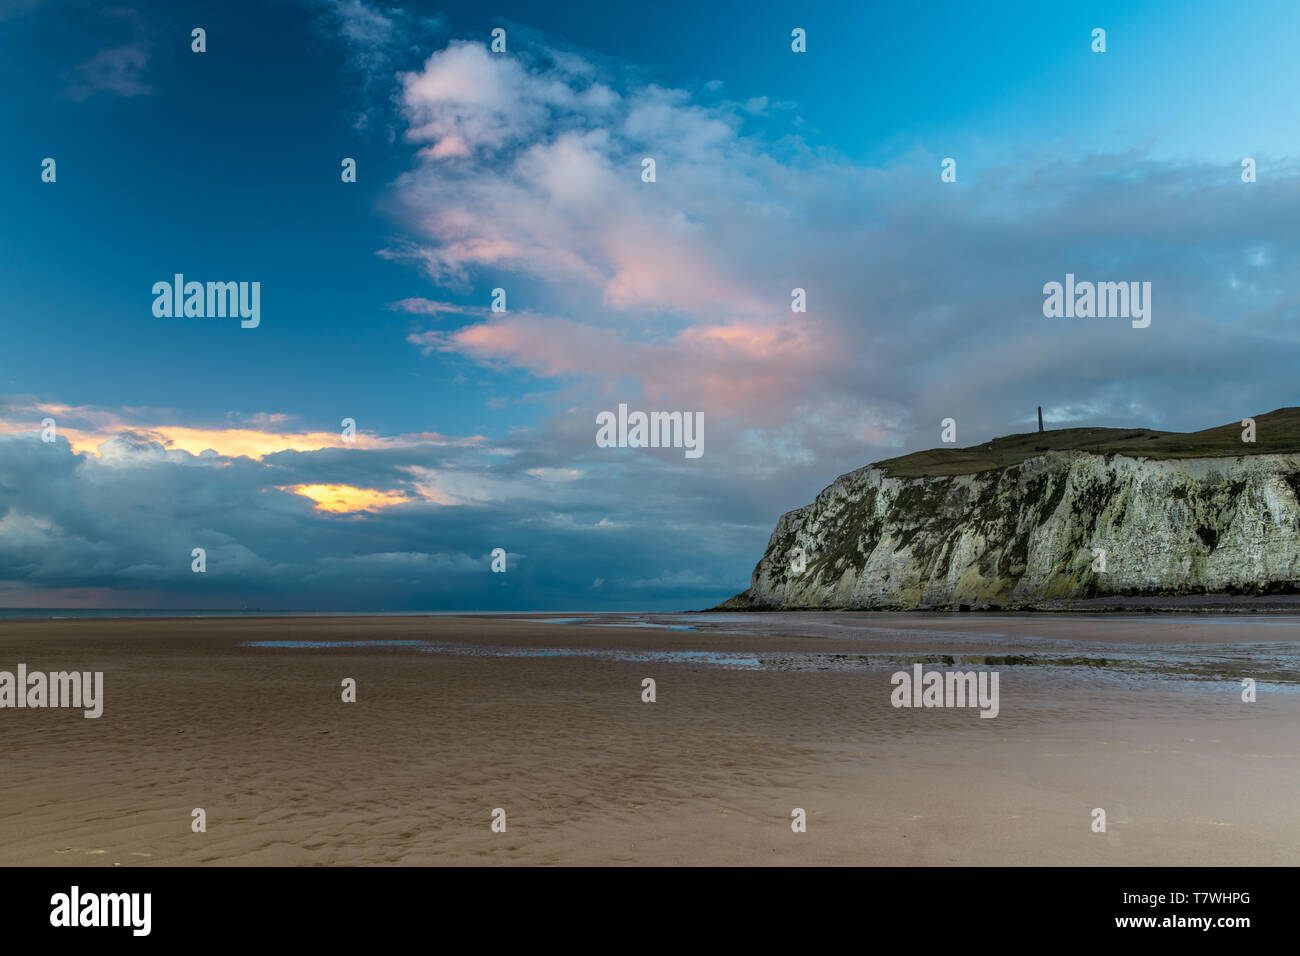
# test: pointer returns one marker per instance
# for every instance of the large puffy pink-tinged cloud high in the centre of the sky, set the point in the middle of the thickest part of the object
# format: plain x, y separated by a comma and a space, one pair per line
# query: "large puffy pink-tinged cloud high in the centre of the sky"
682, 285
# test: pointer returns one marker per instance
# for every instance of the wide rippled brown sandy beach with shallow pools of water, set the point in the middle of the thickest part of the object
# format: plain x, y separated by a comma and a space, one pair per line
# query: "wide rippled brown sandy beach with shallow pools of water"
756, 715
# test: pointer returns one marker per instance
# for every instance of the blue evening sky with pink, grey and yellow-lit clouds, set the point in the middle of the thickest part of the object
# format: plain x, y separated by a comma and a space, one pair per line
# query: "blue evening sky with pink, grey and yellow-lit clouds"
522, 171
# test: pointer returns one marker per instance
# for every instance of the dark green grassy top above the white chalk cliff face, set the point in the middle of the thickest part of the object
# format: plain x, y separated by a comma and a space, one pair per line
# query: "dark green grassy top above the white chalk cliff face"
1279, 432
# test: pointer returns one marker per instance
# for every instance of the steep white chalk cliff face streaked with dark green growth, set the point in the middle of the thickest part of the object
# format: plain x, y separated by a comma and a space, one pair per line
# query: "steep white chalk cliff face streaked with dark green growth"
1029, 533
